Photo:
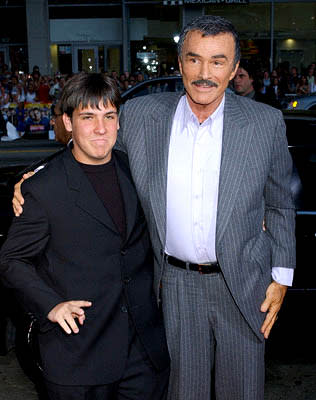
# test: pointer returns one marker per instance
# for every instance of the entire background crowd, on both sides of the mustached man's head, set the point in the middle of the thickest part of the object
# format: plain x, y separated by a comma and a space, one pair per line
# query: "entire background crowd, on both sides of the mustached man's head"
25, 99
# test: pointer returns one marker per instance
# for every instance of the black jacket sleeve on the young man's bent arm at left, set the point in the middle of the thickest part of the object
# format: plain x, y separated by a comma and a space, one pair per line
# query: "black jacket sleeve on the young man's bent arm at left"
22, 256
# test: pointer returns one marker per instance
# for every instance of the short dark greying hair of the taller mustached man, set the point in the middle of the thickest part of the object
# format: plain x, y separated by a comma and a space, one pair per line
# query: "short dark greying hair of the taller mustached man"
210, 25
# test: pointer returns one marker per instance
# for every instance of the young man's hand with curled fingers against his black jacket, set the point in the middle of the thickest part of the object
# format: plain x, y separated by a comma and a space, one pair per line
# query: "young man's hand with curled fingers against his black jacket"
65, 313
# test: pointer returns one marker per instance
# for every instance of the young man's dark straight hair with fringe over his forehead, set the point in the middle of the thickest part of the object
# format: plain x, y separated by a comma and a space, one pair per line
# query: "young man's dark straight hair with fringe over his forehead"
84, 90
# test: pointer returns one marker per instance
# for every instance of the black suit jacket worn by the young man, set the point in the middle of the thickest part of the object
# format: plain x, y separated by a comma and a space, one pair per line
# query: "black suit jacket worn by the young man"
65, 246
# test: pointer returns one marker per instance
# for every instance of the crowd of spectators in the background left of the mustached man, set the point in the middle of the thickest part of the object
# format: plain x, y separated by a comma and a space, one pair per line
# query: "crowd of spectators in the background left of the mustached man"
25, 99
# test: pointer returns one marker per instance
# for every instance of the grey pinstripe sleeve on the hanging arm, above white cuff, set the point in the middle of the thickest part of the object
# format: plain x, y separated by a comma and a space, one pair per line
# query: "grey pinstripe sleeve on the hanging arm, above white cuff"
279, 205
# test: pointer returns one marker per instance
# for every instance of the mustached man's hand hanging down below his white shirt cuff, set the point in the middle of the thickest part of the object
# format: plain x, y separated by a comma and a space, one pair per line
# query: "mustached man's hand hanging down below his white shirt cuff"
272, 304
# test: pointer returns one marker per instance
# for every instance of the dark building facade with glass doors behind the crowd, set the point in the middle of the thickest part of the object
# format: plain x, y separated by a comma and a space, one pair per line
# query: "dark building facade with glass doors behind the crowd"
92, 35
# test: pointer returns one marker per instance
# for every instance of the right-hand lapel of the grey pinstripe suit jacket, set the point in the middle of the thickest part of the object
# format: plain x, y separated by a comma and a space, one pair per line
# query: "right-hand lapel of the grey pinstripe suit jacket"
237, 135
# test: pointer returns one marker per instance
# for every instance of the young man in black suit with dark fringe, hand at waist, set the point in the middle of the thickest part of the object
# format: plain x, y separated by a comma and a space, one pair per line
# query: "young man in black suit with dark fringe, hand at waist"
80, 260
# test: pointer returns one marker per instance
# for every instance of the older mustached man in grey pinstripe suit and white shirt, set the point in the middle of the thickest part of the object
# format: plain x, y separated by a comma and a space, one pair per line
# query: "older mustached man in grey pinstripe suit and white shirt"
209, 167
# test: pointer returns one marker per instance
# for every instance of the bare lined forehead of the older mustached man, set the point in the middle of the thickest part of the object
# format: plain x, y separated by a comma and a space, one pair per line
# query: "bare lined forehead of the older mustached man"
196, 41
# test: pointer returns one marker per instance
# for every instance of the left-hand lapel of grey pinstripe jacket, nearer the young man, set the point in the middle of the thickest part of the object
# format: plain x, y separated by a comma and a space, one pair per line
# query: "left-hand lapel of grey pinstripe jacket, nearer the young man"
159, 123
